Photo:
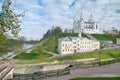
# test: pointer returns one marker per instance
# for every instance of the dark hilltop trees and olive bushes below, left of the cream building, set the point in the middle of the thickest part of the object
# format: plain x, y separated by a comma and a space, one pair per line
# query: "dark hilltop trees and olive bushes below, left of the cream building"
51, 38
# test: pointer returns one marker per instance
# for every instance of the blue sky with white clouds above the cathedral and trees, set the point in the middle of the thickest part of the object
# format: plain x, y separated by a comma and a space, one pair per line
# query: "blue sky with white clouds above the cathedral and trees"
41, 15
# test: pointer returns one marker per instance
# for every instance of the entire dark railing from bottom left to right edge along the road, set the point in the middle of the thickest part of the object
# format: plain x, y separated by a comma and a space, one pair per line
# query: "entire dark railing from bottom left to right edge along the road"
43, 75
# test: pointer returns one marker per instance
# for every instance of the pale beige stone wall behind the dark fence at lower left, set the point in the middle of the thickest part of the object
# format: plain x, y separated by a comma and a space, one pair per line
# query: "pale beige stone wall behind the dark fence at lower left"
24, 69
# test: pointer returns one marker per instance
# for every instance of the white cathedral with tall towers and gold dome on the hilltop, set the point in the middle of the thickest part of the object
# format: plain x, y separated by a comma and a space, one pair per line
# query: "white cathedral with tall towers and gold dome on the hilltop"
90, 27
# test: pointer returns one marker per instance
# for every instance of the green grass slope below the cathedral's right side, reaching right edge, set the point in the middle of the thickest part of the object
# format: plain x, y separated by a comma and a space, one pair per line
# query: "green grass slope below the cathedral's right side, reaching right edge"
107, 37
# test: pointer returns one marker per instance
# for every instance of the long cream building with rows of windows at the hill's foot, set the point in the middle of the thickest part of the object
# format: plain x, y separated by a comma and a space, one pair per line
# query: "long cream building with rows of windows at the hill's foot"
70, 45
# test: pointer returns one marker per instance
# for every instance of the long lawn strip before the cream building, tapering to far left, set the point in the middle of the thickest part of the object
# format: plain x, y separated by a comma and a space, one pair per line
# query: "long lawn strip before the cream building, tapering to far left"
106, 54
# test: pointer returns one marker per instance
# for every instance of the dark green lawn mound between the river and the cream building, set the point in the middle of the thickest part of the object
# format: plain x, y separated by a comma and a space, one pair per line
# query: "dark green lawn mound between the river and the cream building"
32, 55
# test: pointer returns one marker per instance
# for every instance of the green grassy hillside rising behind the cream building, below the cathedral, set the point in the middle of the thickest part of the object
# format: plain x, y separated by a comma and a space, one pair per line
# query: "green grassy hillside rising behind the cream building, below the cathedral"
106, 37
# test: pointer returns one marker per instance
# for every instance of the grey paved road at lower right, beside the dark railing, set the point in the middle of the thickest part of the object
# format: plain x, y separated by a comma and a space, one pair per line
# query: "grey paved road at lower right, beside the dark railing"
112, 70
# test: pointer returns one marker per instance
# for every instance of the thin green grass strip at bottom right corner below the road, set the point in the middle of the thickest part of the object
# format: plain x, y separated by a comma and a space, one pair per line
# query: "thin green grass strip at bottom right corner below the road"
98, 78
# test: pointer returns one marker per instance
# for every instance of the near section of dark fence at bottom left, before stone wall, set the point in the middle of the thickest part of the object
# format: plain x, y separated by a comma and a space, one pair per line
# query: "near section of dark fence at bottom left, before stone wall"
41, 75
